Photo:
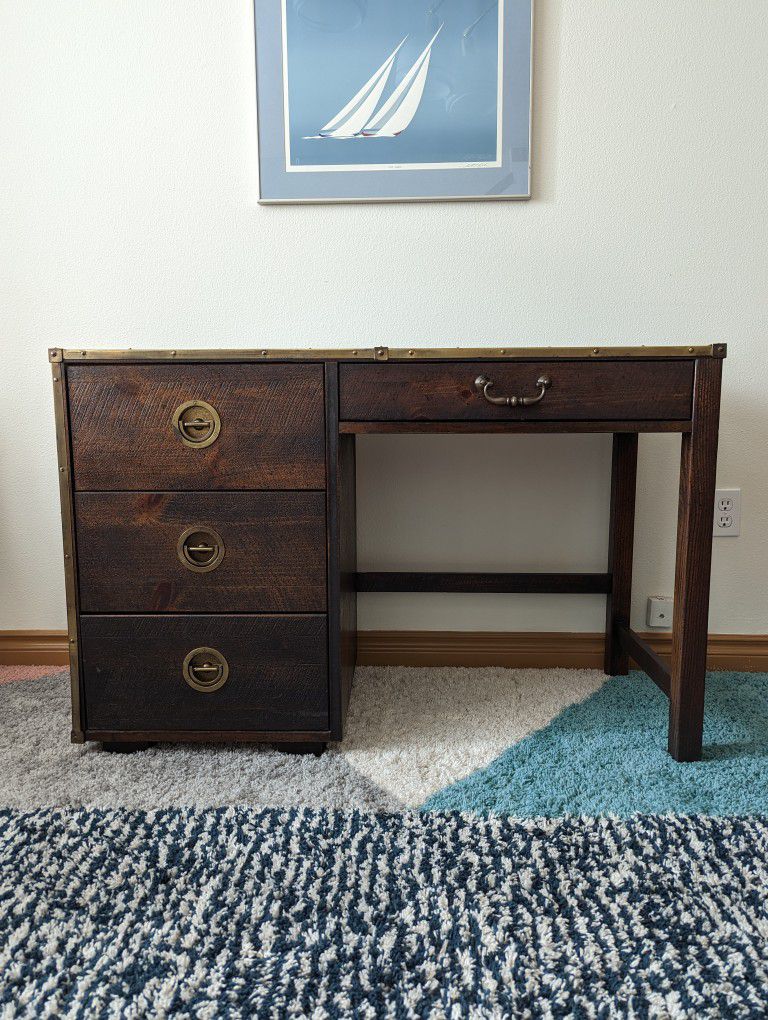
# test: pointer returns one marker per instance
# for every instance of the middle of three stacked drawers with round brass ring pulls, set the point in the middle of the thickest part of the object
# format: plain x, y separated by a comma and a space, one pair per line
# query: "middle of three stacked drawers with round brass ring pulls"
201, 552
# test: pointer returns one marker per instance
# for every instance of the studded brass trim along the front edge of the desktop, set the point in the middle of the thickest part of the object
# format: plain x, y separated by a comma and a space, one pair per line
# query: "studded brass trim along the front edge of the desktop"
397, 354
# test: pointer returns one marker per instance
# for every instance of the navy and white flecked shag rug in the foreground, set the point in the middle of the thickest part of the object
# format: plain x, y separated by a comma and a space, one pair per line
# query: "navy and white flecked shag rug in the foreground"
245, 913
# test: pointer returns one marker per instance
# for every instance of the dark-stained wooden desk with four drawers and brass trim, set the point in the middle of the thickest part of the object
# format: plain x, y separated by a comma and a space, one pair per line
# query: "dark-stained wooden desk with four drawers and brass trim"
209, 509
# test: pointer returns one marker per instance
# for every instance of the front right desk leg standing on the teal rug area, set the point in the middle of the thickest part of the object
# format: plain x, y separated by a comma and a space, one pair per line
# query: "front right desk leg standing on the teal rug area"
698, 467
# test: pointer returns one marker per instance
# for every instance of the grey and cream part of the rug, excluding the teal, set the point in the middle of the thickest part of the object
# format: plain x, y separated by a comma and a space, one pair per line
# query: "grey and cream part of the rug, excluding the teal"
411, 733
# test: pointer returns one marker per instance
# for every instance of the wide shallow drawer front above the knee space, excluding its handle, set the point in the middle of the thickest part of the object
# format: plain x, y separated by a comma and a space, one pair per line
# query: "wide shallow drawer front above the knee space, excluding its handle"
578, 391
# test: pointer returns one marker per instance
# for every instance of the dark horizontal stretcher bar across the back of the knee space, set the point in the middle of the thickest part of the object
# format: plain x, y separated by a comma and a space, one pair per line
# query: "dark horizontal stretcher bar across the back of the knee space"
468, 583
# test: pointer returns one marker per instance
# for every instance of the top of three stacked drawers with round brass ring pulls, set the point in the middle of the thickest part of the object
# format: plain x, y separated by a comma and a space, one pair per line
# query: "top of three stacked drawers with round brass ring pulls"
197, 427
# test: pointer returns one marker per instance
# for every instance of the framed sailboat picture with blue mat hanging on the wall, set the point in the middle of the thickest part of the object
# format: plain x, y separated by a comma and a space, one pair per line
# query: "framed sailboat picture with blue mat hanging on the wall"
393, 100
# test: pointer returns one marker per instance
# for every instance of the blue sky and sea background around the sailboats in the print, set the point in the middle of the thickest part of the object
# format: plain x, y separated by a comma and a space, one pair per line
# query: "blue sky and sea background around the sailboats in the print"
336, 46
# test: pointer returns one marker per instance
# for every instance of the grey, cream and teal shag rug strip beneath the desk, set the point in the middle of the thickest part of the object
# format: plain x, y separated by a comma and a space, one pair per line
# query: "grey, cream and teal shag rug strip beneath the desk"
529, 743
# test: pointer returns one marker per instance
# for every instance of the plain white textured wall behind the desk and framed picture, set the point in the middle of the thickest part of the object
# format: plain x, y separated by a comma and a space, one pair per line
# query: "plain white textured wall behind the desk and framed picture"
129, 217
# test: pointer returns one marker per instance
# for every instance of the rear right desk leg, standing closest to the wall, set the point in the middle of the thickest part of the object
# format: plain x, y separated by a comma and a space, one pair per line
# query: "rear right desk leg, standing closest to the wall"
619, 604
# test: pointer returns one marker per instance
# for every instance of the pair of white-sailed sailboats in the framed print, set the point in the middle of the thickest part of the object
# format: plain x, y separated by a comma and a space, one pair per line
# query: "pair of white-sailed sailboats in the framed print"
360, 118
